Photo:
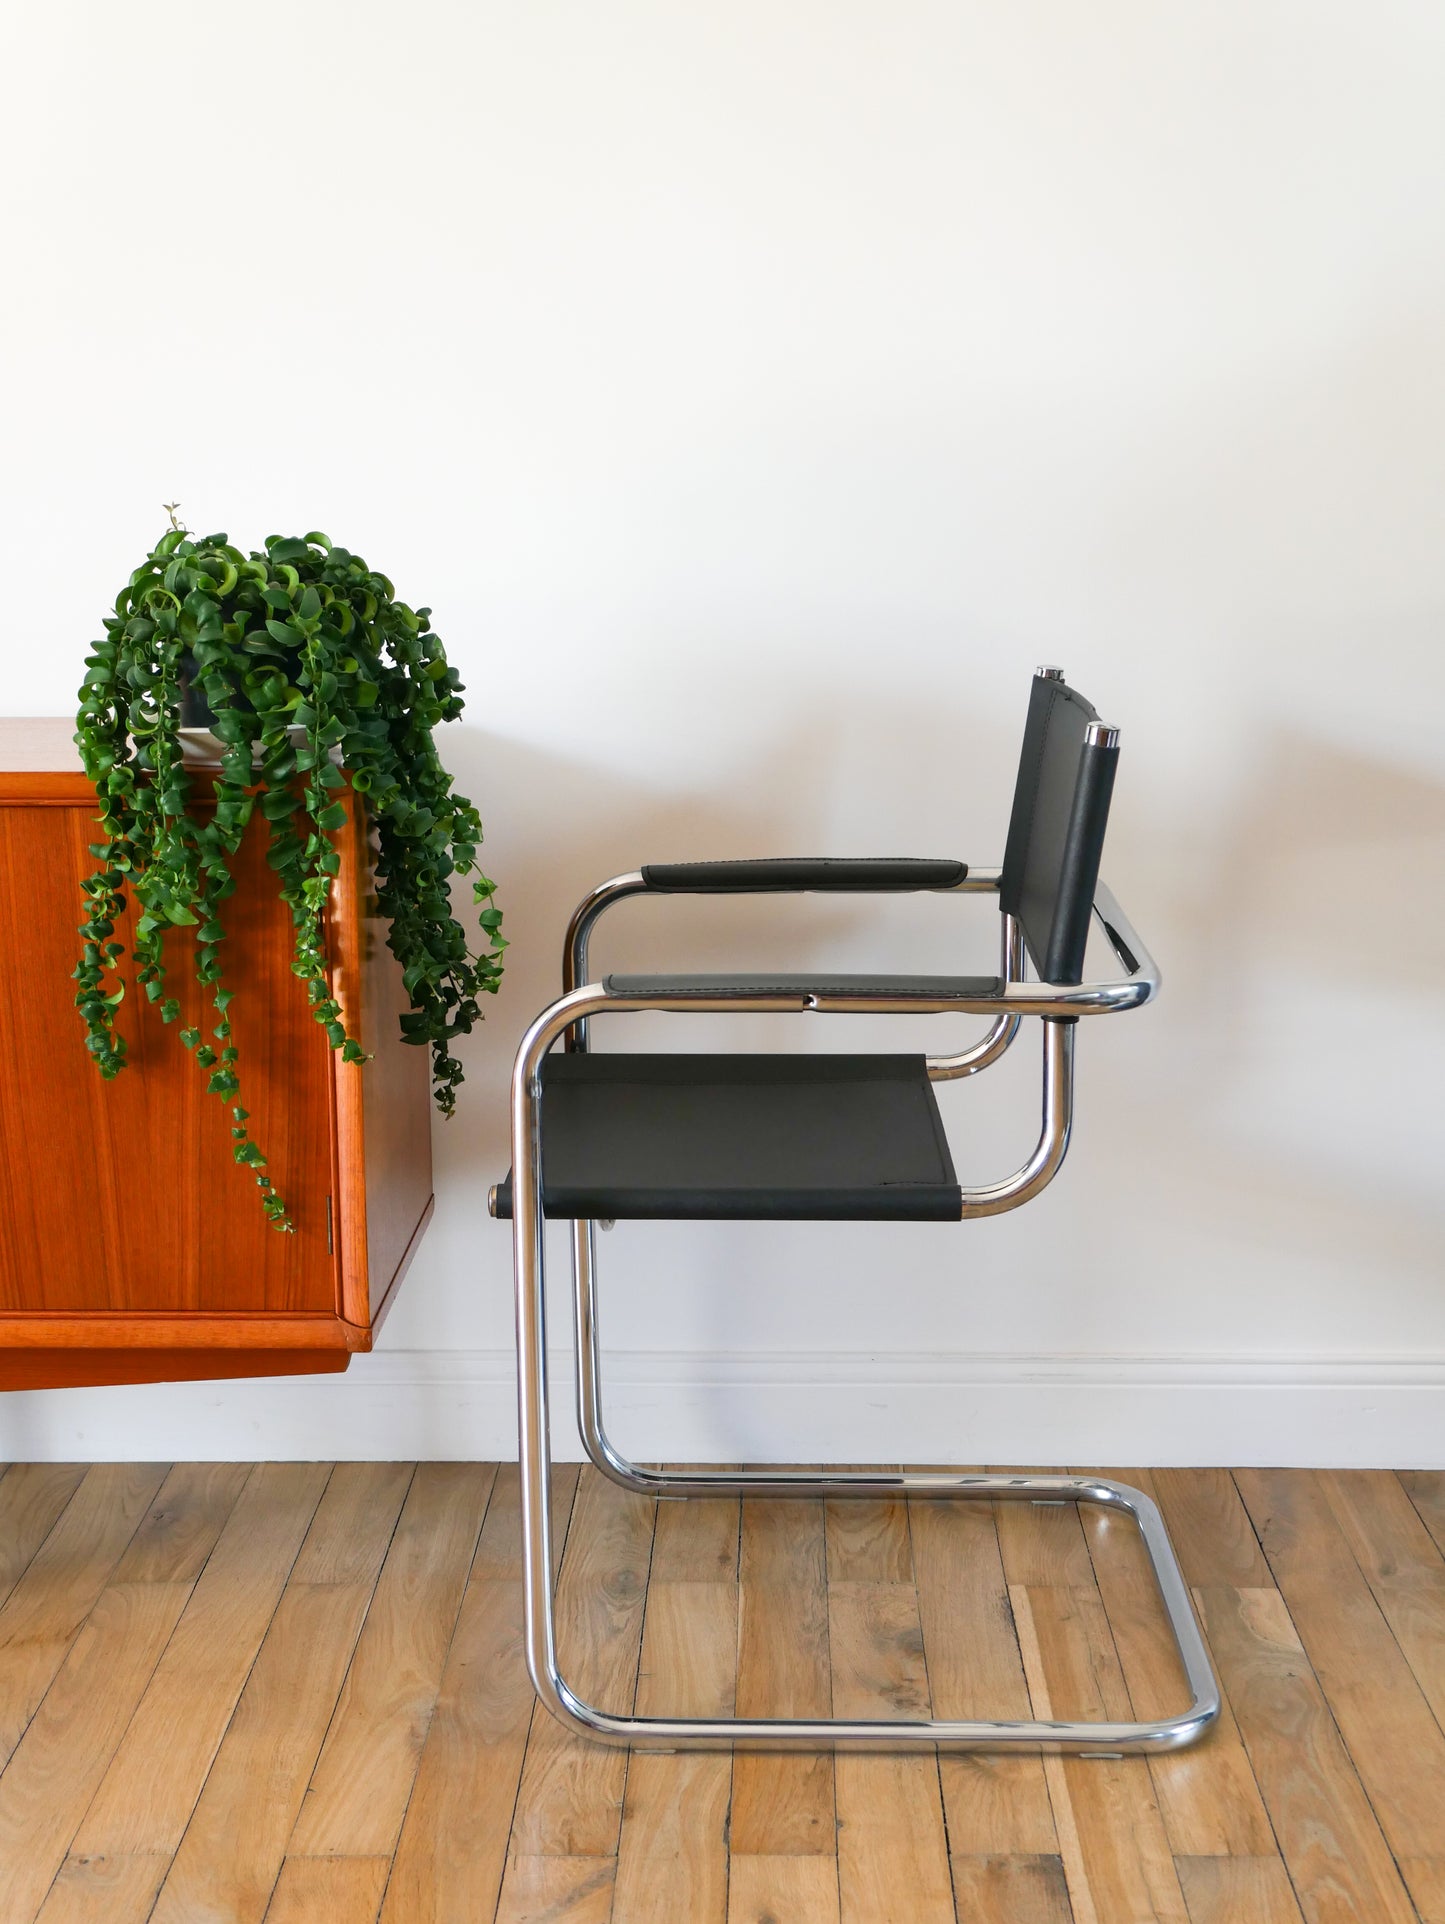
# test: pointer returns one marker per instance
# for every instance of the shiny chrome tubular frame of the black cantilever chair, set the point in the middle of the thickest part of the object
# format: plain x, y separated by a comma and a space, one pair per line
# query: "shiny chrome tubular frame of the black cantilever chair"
569, 1017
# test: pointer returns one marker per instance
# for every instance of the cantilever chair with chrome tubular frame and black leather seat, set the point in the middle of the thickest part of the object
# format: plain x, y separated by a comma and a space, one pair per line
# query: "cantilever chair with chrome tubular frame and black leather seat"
823, 1138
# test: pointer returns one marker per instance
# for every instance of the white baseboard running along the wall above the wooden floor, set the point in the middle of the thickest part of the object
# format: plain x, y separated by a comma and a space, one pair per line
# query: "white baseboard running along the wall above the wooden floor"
844, 1407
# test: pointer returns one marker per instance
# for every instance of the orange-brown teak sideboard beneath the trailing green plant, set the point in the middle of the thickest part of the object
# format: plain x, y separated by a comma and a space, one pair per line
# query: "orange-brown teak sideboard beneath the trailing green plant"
132, 1246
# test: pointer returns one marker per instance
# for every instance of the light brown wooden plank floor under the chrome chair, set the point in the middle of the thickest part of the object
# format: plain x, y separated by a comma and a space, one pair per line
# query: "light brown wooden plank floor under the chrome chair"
295, 1692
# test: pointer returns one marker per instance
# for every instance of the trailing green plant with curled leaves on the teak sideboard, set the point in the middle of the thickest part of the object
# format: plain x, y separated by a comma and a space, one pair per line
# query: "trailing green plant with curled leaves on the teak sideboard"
315, 676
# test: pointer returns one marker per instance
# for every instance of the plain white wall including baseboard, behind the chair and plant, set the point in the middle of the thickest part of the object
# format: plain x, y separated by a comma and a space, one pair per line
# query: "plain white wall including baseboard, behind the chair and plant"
757, 393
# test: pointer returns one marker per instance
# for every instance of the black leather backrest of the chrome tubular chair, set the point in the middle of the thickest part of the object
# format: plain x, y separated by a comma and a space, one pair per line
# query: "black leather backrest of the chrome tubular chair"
1057, 830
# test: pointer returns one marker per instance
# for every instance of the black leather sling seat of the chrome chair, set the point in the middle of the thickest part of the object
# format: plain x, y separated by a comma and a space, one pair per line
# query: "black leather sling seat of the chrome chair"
740, 1136
